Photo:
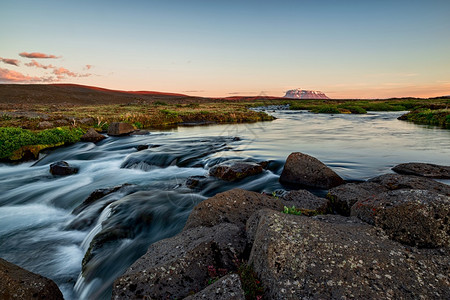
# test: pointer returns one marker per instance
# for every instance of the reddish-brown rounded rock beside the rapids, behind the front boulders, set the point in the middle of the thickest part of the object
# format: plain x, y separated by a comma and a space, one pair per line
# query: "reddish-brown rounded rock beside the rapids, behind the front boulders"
234, 206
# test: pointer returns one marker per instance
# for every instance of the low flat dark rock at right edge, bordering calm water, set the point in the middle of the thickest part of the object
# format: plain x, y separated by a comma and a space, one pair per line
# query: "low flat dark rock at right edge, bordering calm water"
423, 169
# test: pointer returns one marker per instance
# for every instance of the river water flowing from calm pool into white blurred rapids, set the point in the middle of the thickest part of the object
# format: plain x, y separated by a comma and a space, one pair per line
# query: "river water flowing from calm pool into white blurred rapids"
39, 232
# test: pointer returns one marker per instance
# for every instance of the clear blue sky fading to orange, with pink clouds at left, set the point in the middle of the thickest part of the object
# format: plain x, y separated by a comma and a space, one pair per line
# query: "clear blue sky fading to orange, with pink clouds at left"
344, 48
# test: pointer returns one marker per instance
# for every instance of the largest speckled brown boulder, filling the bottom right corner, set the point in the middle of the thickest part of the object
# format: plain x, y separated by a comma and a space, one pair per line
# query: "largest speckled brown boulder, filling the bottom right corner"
334, 257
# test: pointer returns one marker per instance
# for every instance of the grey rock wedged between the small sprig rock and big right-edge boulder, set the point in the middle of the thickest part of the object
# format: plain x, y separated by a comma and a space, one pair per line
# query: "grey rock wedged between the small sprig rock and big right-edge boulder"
344, 196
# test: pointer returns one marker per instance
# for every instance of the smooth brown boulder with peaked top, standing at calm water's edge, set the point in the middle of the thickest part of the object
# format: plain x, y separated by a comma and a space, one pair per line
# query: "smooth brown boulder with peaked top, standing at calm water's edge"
304, 170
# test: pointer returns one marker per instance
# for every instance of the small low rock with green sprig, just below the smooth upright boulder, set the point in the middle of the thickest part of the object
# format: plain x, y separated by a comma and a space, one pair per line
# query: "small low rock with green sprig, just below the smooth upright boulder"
308, 203
